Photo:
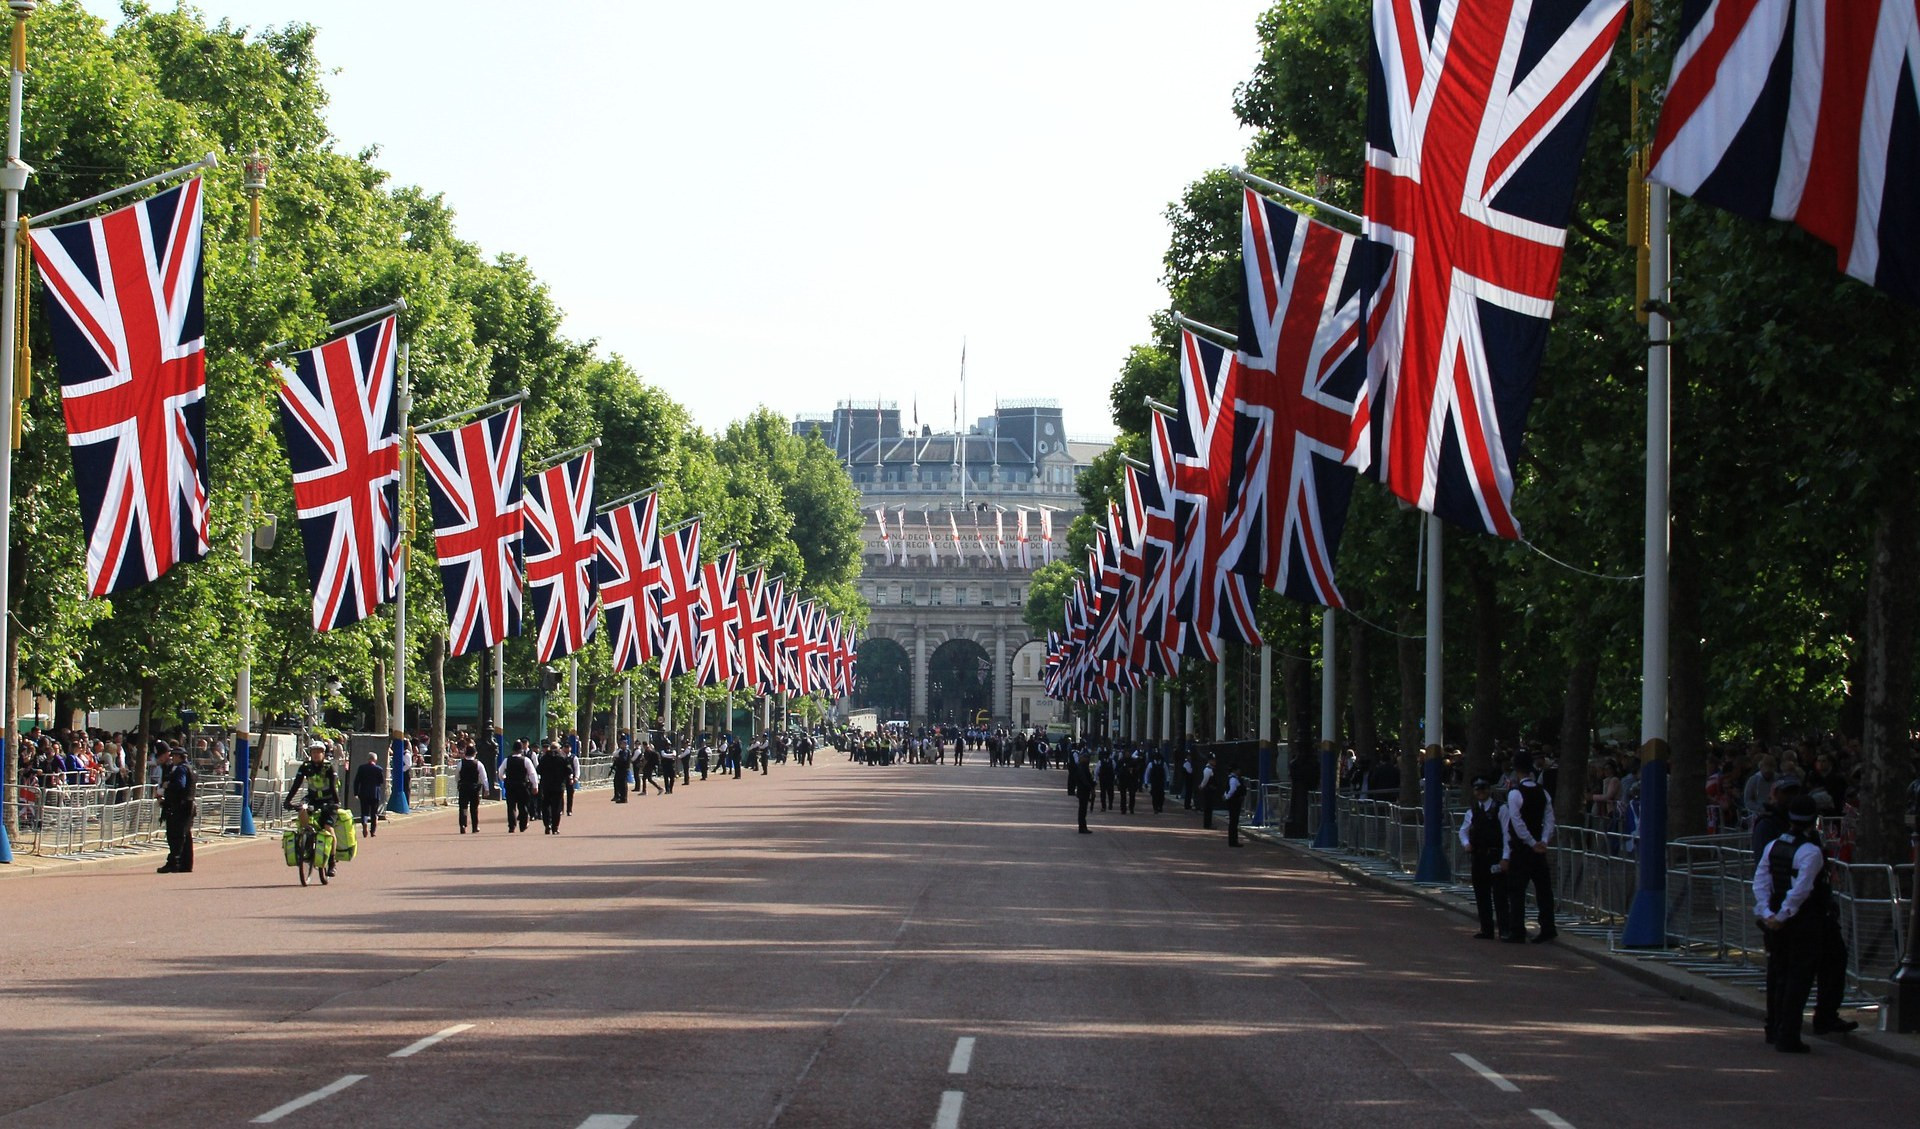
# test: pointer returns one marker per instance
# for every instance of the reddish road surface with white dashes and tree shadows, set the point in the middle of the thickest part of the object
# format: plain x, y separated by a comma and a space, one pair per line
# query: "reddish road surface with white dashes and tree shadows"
842, 948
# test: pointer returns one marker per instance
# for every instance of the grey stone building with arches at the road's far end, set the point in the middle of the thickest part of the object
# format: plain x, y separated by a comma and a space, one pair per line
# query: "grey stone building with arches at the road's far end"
948, 640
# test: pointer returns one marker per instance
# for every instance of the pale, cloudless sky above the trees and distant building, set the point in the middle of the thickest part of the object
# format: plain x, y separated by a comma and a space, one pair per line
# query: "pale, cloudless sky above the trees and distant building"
811, 201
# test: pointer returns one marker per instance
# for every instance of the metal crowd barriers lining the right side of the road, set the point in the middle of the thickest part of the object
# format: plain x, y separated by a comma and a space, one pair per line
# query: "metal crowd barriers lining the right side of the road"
1710, 882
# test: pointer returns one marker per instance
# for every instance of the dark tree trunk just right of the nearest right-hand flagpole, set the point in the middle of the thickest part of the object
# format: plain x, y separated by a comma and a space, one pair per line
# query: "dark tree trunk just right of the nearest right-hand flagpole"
1687, 690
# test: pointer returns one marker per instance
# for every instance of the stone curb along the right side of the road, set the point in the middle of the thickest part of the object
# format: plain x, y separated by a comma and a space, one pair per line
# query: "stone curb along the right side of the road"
1683, 986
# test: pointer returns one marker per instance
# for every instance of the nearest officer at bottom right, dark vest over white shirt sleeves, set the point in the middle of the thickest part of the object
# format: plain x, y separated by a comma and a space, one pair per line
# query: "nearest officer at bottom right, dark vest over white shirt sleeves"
1794, 903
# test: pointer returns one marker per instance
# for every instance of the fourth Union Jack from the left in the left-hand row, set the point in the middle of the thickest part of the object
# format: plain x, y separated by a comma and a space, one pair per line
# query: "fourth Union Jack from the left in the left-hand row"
562, 550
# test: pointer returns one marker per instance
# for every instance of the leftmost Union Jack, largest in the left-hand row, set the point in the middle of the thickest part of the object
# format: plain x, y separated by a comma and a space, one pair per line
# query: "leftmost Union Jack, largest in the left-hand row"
124, 299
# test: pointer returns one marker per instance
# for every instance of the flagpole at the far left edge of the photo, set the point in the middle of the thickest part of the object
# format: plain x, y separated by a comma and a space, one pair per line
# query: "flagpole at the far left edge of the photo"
12, 180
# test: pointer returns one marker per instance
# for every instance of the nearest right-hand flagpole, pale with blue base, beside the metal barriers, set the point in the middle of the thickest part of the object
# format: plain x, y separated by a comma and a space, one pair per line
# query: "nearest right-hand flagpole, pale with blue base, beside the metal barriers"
1646, 919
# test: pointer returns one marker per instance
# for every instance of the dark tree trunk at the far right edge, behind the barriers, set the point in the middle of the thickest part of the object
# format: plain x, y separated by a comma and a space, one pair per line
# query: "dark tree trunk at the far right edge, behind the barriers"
1890, 658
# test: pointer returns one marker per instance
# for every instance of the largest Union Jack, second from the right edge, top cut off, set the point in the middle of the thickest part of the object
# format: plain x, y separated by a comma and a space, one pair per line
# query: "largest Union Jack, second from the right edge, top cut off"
1477, 118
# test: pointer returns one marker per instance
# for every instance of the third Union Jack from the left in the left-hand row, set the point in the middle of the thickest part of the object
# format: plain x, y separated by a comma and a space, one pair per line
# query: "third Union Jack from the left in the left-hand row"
473, 479
